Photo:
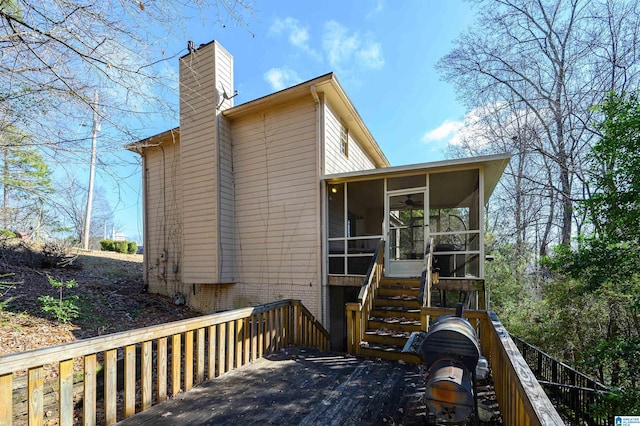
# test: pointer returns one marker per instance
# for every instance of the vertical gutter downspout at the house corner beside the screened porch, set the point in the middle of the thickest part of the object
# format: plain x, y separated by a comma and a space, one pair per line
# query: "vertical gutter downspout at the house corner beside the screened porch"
321, 217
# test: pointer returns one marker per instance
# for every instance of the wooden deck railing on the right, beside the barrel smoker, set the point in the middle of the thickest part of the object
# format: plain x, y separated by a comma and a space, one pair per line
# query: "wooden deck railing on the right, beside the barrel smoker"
521, 399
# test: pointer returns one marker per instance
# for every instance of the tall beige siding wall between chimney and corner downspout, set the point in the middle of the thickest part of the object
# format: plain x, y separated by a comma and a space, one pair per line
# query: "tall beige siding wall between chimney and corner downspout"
277, 204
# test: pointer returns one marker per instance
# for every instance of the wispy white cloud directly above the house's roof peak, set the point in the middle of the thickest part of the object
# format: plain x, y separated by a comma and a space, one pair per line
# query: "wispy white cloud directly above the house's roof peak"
344, 49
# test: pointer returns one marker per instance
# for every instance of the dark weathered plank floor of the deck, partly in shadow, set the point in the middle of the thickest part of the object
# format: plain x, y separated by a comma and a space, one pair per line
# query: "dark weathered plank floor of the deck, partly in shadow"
297, 386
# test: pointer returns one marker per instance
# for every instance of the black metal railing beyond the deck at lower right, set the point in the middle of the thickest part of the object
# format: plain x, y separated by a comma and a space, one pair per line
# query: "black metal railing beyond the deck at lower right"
574, 394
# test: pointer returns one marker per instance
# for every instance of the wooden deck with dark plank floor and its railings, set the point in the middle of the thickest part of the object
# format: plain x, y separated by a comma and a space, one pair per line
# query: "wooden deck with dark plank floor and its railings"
262, 371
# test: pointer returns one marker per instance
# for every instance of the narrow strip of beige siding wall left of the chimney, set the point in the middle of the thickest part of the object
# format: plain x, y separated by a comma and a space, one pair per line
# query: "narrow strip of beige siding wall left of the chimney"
163, 247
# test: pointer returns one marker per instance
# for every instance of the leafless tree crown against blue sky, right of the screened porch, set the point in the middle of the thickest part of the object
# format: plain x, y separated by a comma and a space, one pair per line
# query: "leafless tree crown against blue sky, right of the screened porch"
550, 61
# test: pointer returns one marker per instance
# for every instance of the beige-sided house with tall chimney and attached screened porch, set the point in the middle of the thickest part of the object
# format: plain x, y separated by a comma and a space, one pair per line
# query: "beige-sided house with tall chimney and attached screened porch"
288, 196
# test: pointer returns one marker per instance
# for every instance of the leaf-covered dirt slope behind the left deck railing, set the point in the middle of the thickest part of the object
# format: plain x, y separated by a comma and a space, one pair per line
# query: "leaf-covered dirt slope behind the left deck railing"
111, 298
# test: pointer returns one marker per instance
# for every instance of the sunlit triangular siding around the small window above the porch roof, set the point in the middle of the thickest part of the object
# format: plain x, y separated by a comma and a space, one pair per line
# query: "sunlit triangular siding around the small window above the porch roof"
335, 160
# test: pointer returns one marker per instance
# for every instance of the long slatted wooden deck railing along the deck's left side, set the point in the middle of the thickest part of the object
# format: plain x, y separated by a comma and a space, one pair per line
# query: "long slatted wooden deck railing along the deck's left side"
119, 374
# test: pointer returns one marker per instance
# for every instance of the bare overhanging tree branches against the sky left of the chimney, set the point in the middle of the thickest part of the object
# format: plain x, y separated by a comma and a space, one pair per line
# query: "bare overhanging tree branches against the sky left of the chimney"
54, 54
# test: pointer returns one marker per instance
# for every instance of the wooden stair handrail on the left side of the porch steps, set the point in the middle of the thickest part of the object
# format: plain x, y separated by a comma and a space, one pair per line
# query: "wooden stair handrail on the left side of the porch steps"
358, 313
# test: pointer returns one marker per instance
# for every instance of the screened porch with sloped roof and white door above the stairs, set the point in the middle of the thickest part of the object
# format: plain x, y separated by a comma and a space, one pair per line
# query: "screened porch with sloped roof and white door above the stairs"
406, 207
